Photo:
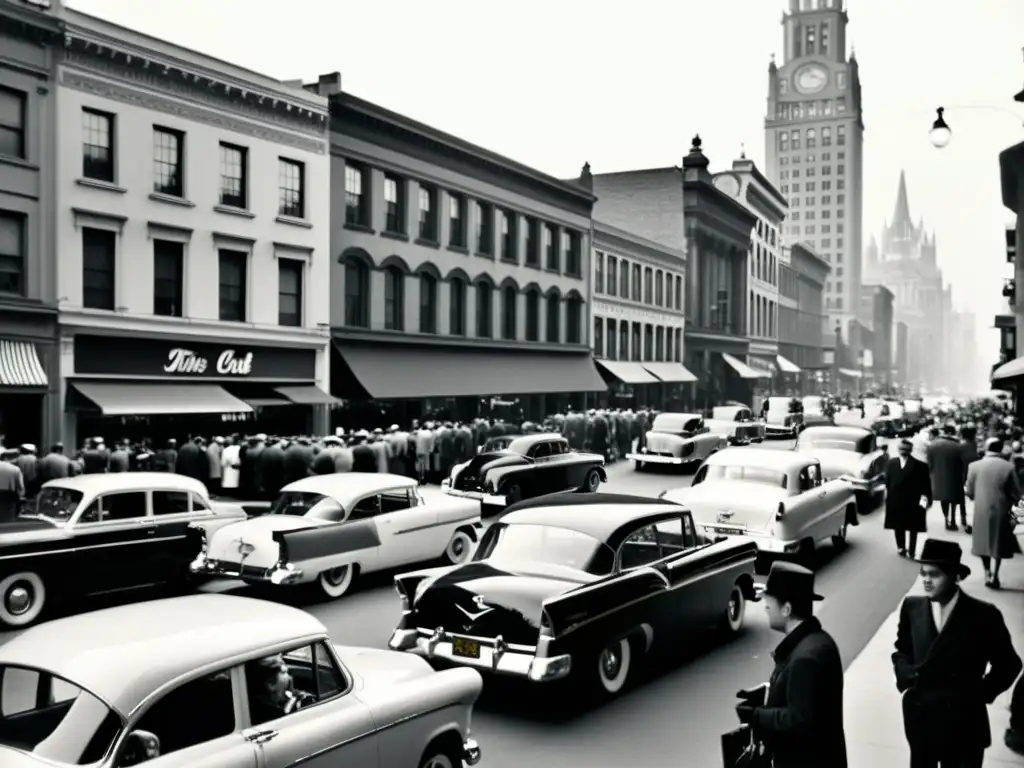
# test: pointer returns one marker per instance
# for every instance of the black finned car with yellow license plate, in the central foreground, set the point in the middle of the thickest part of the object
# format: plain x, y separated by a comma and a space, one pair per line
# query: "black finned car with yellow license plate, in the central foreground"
583, 587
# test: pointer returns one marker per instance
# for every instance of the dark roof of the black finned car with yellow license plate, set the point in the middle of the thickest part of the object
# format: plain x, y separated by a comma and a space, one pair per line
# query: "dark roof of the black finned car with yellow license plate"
605, 517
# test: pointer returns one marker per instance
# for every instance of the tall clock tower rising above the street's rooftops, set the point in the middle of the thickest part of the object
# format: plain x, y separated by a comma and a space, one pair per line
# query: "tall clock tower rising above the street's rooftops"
815, 148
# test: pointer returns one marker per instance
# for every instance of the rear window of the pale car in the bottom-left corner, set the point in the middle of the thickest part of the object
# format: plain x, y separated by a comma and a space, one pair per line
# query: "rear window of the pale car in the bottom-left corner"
54, 719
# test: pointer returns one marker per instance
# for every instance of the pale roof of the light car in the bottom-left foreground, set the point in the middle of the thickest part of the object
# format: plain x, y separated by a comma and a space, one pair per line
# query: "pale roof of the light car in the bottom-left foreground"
124, 655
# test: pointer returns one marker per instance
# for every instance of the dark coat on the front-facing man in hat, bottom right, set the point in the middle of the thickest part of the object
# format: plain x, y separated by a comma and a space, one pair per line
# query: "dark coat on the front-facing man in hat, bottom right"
949, 678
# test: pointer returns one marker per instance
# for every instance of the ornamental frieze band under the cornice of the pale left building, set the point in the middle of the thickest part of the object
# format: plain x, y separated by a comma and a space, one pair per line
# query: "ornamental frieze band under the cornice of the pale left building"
144, 100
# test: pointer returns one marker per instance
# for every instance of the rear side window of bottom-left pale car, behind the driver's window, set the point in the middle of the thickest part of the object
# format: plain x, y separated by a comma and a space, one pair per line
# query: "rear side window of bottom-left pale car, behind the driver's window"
197, 712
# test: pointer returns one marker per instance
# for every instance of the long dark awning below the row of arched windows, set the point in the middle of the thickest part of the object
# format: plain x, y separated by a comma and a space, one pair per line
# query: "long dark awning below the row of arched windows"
408, 372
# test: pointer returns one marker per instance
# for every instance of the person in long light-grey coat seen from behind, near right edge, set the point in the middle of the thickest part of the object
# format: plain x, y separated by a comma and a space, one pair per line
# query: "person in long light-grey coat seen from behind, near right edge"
992, 483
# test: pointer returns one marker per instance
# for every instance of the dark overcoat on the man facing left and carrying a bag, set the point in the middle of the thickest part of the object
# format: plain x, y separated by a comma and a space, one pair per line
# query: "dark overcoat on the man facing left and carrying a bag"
801, 723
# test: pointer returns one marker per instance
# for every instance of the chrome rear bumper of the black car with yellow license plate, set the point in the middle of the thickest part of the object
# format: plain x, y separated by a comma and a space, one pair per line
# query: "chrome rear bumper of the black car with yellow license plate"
496, 656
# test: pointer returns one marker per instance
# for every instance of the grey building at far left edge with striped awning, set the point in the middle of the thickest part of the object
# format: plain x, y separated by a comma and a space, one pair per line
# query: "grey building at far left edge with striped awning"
31, 39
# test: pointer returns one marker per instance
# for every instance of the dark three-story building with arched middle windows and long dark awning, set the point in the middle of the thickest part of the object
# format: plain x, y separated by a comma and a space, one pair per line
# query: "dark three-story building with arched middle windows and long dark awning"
461, 277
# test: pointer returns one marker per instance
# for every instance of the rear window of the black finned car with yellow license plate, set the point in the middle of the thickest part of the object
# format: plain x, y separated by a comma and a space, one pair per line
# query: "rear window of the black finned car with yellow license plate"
548, 544
